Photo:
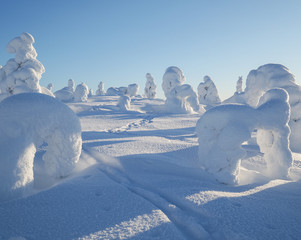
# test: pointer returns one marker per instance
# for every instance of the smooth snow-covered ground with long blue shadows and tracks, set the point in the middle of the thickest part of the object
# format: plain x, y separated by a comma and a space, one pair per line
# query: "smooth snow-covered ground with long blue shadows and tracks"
138, 178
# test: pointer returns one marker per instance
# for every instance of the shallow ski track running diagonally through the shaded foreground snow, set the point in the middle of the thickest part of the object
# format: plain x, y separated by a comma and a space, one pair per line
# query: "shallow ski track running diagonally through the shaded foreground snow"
187, 218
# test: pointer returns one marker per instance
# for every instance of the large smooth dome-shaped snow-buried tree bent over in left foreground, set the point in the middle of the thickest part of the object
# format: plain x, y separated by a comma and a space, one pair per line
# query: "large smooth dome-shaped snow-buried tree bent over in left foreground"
27, 121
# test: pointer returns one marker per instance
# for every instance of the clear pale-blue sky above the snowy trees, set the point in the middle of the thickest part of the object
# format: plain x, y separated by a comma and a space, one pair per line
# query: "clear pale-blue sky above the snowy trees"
119, 41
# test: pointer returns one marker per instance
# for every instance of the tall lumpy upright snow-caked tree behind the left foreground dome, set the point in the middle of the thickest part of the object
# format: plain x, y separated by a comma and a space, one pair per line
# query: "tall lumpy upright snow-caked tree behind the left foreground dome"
22, 73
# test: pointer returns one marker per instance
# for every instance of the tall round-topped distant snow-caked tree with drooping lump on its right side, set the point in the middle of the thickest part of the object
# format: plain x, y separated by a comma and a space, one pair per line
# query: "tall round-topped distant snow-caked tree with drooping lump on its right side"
180, 98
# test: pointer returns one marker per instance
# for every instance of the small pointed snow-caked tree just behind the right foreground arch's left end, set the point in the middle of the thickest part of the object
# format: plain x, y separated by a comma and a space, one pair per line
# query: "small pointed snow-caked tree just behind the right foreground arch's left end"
207, 92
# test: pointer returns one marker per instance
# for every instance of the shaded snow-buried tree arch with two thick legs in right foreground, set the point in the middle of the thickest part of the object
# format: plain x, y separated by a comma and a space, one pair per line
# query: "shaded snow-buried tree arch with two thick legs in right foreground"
222, 130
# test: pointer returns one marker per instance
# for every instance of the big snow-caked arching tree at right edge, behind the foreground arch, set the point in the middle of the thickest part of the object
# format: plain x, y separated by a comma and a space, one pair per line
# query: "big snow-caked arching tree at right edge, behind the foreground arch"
271, 76
